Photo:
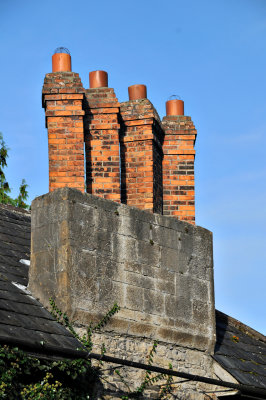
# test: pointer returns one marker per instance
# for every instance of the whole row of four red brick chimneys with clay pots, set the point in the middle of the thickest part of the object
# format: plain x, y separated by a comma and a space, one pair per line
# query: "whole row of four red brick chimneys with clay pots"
131, 156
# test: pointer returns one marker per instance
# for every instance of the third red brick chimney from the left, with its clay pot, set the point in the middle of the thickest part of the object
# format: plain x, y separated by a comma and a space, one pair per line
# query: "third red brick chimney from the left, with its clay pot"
141, 152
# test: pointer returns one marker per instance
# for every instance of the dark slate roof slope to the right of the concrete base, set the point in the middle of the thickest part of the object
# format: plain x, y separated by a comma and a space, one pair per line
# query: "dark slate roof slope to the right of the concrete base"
241, 351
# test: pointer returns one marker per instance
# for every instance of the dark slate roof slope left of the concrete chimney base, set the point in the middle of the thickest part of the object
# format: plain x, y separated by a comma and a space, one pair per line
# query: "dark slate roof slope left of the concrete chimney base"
23, 320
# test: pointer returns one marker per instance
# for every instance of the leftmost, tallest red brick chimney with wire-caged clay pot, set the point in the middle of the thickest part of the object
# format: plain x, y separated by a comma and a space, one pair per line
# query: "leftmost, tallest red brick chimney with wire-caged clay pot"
62, 98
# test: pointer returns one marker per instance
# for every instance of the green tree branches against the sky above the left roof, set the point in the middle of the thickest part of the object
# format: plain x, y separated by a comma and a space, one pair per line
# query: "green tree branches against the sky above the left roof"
4, 186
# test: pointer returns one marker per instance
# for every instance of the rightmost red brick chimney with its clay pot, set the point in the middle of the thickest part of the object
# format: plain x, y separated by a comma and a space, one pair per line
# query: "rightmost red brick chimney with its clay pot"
178, 163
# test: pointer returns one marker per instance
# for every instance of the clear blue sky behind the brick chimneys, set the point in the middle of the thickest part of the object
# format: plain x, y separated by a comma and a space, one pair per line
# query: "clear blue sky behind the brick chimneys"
212, 54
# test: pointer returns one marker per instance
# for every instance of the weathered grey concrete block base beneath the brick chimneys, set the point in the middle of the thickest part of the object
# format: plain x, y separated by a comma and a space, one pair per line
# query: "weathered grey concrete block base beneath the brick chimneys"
88, 253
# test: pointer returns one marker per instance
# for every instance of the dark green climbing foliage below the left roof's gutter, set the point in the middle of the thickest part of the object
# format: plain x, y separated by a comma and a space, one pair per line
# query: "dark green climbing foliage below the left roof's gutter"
23, 377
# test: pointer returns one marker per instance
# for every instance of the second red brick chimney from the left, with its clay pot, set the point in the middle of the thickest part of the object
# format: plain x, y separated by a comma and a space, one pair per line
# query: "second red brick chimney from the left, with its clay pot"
102, 138
